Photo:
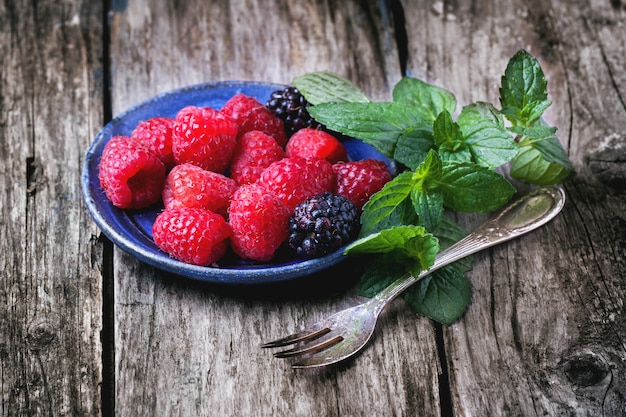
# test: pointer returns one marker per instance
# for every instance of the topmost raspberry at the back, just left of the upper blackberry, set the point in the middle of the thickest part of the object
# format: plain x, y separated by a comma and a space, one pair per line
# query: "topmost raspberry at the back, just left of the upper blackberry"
250, 114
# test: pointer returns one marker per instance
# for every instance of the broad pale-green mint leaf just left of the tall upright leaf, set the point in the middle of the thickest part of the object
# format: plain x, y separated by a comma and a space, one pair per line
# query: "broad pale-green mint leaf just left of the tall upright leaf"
489, 143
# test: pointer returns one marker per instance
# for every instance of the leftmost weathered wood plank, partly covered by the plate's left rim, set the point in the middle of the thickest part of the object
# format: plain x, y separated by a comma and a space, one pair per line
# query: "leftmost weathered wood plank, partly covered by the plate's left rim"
50, 284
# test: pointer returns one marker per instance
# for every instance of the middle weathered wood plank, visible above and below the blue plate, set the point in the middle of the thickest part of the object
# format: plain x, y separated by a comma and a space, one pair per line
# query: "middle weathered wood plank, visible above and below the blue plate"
185, 348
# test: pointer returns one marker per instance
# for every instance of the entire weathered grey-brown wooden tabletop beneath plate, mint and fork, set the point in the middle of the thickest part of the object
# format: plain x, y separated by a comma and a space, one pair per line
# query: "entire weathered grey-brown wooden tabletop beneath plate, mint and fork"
87, 330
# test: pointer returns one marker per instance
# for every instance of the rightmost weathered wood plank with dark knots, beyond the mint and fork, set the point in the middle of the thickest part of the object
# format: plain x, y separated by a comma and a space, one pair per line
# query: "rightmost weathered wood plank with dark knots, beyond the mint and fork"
545, 332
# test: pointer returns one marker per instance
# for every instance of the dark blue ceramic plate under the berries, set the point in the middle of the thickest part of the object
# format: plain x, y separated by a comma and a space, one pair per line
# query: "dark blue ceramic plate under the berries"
132, 230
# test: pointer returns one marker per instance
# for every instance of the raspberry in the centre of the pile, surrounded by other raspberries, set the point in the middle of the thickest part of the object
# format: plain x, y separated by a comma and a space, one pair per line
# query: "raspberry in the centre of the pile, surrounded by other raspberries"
254, 152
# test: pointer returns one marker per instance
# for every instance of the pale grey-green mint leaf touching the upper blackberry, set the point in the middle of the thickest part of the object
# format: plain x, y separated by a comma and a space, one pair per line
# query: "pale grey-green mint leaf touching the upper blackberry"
326, 87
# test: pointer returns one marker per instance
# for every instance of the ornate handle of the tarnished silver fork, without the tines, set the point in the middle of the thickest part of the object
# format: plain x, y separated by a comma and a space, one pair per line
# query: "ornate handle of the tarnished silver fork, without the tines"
525, 214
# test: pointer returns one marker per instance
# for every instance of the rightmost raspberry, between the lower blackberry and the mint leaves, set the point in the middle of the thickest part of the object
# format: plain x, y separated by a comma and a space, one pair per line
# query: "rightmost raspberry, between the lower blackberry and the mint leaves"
358, 180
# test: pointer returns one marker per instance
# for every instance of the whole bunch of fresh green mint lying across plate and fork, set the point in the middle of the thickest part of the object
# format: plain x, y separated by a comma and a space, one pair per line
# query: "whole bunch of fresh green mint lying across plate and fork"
449, 165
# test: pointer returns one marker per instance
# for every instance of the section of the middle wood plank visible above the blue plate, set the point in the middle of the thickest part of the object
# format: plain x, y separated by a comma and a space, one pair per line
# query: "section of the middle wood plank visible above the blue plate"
169, 45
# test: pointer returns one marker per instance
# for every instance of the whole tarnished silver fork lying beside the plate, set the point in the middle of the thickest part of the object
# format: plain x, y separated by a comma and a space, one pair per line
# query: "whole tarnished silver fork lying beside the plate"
345, 333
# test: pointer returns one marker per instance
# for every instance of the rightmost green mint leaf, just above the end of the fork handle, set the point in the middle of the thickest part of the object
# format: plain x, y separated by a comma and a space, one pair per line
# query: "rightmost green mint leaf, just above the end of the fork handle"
542, 162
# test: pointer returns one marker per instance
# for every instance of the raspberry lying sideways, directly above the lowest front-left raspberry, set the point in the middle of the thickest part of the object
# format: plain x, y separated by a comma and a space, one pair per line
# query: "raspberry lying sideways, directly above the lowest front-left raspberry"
188, 185
